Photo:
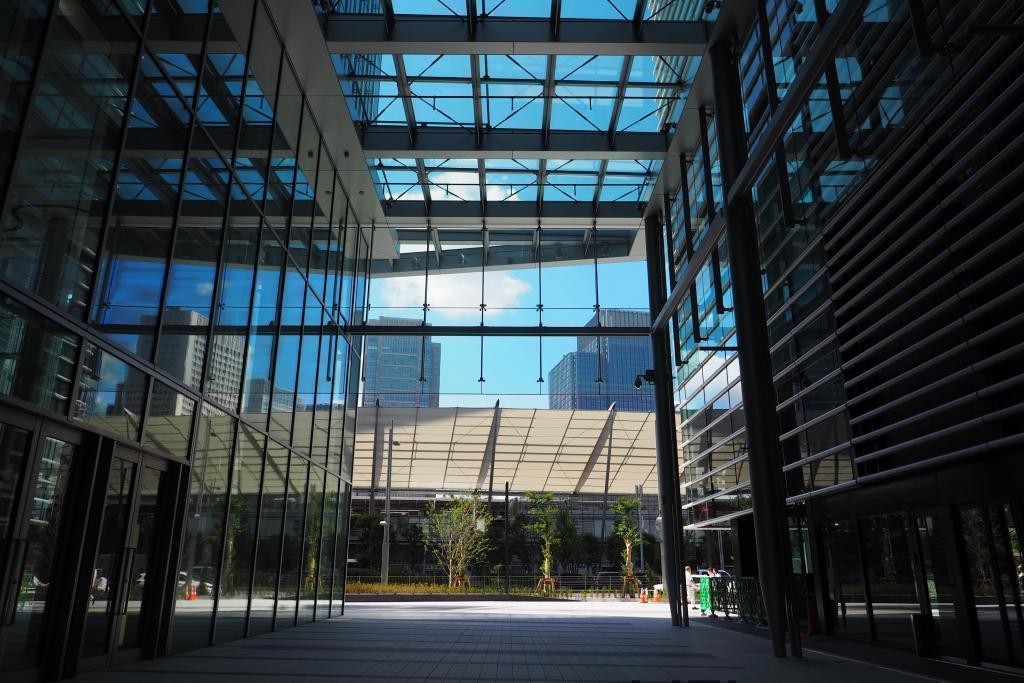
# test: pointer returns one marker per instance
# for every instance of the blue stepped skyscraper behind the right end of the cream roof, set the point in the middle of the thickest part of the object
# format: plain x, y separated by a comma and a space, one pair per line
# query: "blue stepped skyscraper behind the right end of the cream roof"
603, 370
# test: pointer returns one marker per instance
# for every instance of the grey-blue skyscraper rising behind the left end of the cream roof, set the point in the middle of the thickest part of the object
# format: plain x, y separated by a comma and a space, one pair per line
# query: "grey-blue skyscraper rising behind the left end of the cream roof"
402, 371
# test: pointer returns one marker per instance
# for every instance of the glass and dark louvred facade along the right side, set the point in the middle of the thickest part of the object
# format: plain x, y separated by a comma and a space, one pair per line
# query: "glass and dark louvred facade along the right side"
838, 329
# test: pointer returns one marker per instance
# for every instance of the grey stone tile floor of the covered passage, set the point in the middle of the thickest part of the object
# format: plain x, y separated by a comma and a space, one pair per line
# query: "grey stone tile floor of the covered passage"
498, 642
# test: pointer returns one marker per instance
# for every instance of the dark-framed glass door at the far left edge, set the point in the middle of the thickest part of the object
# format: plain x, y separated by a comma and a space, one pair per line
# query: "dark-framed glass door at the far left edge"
36, 464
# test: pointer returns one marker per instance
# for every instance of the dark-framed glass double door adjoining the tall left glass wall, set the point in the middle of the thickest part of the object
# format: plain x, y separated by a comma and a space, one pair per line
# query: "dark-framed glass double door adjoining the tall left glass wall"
126, 576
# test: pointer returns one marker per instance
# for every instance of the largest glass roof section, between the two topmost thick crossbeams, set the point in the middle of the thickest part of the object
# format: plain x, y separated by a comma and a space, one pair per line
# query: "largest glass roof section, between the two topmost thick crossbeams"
588, 93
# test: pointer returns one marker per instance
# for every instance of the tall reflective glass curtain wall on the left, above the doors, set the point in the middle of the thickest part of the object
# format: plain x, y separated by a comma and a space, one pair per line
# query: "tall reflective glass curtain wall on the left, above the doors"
178, 262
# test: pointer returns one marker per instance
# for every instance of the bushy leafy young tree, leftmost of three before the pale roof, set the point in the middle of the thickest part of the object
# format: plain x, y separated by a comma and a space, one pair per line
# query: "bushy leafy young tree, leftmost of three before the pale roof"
455, 535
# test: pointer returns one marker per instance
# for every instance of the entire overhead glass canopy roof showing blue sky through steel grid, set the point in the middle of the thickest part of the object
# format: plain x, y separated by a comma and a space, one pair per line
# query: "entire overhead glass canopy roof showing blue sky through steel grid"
547, 126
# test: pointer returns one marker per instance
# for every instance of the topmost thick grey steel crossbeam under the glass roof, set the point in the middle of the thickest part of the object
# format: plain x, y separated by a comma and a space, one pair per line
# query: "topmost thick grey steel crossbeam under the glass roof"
367, 34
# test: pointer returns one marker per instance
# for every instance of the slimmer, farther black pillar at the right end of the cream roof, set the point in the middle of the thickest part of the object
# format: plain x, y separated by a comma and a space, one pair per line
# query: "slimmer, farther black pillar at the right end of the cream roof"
665, 428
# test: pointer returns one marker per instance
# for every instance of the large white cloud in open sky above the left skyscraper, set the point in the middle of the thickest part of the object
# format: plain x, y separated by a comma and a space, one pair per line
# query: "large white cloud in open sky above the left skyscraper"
455, 297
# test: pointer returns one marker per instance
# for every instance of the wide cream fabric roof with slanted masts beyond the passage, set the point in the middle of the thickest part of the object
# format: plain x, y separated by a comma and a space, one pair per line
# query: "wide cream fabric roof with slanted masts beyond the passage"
449, 450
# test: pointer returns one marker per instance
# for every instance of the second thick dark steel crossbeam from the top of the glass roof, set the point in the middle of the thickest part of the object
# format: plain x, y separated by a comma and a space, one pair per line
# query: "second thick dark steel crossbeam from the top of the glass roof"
396, 143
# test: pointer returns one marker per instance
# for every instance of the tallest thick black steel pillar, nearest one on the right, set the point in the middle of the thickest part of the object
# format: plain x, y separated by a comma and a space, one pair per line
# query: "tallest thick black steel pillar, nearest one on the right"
755, 362
